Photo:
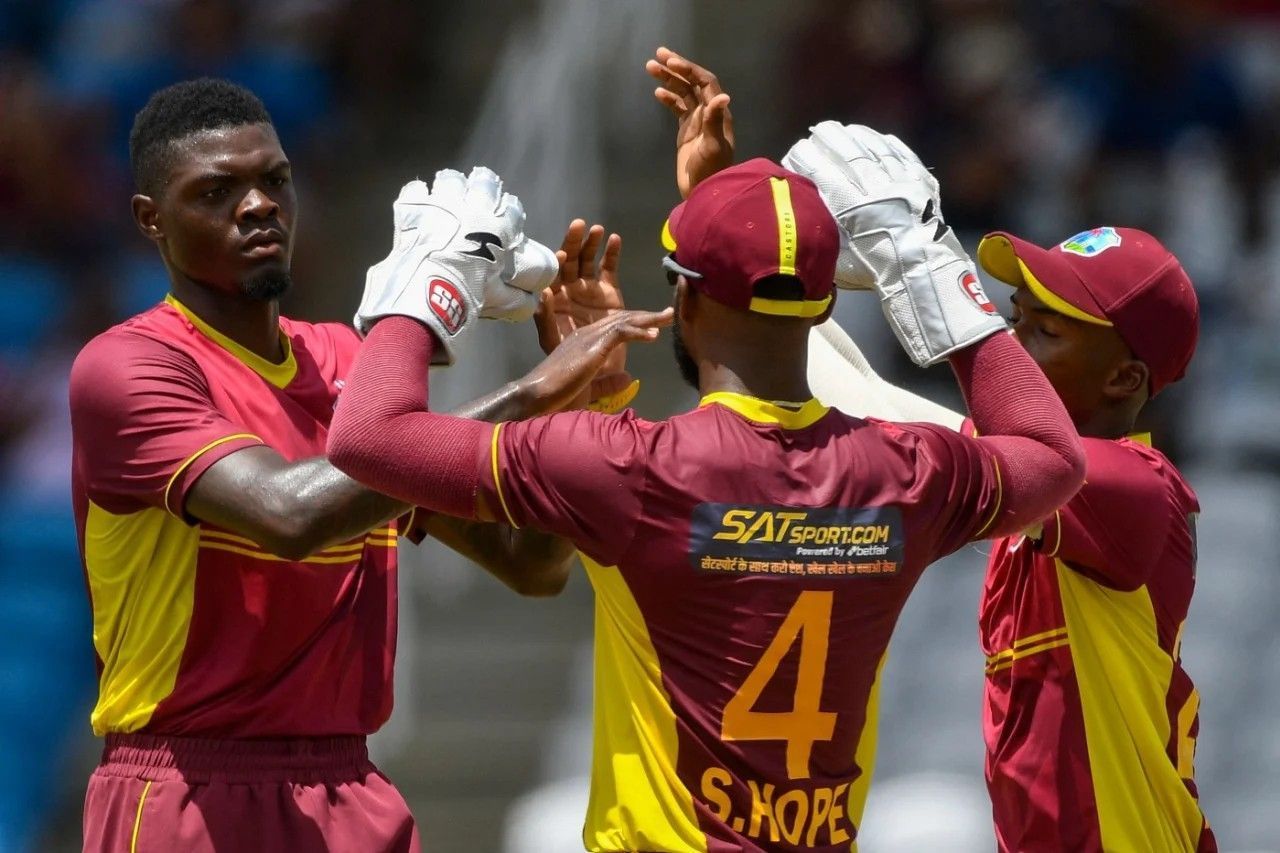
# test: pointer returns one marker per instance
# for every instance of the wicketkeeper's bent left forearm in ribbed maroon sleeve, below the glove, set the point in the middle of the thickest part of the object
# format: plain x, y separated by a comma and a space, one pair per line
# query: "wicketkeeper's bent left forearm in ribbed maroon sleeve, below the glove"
382, 436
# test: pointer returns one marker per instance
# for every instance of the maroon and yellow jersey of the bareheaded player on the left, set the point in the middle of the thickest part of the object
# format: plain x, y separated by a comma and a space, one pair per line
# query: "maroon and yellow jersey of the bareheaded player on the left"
199, 631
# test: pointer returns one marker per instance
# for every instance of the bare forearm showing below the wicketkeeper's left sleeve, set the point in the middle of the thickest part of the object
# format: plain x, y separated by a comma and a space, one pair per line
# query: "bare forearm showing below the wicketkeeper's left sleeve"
529, 562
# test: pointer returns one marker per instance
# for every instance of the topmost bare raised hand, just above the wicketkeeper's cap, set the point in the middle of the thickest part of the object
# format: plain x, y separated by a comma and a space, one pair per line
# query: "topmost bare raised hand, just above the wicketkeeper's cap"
705, 136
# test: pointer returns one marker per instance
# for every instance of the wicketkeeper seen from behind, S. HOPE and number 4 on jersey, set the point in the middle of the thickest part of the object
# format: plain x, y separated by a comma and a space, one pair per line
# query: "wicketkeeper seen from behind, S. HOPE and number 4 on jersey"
749, 558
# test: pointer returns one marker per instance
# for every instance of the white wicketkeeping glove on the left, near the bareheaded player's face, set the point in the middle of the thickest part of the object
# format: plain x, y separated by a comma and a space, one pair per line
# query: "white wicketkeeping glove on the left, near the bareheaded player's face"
459, 253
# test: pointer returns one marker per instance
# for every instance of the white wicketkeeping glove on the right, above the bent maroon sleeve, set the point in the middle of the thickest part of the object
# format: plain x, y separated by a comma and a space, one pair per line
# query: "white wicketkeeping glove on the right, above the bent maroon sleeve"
888, 206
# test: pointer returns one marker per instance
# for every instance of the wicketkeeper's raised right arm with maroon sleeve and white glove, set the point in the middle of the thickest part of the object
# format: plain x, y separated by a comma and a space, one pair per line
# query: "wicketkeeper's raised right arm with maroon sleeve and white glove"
890, 209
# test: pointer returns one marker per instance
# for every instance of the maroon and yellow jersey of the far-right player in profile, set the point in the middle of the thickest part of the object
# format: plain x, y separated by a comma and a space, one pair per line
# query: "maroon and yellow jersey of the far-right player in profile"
1090, 719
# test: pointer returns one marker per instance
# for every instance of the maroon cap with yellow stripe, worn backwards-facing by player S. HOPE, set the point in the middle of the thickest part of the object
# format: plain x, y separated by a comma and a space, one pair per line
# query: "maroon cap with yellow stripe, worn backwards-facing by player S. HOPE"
748, 223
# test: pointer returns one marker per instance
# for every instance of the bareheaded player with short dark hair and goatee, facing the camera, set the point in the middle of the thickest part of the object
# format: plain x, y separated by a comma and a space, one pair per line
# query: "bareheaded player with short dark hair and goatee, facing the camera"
244, 591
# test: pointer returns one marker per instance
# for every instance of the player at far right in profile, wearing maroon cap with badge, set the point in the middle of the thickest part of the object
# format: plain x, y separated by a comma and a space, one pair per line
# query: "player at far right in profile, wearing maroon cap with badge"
1090, 719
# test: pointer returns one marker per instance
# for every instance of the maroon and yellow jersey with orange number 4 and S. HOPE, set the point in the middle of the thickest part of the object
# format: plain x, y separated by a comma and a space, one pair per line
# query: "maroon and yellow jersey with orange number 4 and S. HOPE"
749, 563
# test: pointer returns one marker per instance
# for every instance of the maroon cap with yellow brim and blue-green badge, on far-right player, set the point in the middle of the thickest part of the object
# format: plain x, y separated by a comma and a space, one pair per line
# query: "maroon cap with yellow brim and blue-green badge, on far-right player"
1118, 277
